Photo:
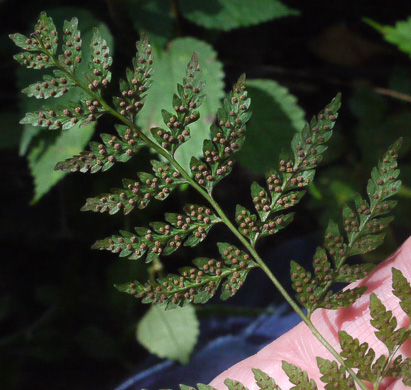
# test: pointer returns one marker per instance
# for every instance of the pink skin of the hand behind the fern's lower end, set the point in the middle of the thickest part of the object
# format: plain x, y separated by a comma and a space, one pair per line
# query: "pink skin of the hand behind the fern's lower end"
300, 347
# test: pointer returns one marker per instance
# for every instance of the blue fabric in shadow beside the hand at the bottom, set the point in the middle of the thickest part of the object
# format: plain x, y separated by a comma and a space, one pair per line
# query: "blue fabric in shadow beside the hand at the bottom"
216, 355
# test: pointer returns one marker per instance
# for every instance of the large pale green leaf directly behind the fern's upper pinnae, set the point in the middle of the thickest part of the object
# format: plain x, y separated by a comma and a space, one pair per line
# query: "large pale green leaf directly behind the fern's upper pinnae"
169, 69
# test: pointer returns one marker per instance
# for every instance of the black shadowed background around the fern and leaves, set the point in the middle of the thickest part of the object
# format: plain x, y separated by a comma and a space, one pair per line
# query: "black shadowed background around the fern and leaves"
63, 325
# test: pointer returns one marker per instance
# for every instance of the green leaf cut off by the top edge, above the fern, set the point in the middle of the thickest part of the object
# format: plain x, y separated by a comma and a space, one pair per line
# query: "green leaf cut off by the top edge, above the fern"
229, 14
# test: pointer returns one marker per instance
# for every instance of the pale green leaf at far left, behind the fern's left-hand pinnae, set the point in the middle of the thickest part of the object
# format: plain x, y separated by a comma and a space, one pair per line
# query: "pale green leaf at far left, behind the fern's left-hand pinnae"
50, 149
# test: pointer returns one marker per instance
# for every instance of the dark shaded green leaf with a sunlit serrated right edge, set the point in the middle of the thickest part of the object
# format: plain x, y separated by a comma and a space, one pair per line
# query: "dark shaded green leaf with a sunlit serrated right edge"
276, 117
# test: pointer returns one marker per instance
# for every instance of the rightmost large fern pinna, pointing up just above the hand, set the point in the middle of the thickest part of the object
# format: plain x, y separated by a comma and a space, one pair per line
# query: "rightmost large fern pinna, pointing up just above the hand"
365, 229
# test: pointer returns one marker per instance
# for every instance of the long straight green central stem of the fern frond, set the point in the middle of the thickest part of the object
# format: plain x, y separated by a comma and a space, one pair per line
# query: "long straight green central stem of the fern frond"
217, 208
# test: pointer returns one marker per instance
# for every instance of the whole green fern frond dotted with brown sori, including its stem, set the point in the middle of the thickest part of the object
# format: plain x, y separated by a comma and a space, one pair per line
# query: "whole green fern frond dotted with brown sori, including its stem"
364, 224
